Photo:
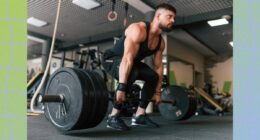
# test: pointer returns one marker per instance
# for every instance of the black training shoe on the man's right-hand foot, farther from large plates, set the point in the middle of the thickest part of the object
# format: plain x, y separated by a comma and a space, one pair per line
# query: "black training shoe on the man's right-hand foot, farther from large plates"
143, 120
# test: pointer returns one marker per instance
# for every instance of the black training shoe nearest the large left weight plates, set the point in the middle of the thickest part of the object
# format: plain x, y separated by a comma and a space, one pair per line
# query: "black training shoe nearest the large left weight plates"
115, 122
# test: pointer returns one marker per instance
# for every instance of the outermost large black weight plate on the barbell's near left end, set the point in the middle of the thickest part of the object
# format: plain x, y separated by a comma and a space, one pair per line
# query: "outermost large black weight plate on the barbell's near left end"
65, 81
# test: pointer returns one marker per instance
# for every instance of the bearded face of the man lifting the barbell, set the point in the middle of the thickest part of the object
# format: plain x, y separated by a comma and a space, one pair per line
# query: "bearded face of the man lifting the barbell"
166, 19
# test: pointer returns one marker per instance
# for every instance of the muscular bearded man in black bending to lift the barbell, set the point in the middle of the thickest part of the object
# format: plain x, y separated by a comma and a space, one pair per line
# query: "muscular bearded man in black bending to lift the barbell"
123, 62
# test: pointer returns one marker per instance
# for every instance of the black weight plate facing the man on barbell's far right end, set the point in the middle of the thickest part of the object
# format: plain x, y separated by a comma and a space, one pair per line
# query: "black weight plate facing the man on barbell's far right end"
183, 107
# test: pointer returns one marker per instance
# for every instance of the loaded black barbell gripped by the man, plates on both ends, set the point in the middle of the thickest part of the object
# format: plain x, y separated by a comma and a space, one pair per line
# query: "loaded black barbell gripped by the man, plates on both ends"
78, 99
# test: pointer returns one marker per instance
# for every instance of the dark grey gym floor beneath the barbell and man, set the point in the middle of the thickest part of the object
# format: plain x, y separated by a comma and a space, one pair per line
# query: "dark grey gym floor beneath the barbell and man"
196, 128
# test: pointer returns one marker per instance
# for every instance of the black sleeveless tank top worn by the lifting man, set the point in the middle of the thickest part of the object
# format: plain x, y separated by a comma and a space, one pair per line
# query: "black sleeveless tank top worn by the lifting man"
118, 49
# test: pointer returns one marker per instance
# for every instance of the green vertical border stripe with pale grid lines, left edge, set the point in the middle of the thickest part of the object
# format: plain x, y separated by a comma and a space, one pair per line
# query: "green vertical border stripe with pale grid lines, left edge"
13, 33
